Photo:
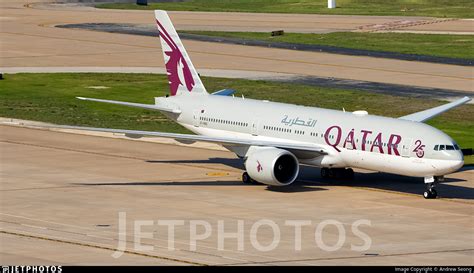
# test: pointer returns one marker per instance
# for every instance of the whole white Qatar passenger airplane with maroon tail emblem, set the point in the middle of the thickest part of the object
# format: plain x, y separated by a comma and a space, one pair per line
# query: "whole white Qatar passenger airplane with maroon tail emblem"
274, 139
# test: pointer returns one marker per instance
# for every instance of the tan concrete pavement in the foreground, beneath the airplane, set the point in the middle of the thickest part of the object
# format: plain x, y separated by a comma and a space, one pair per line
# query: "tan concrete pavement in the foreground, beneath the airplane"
61, 195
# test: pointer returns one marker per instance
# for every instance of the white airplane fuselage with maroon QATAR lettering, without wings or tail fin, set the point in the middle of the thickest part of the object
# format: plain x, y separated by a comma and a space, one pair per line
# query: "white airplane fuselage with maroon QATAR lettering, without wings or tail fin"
354, 139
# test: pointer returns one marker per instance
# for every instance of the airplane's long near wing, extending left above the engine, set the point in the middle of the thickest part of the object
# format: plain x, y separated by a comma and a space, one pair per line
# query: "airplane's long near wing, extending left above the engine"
228, 141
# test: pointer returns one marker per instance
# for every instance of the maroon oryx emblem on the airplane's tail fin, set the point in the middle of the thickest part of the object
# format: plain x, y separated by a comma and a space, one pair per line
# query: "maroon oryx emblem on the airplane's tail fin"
176, 65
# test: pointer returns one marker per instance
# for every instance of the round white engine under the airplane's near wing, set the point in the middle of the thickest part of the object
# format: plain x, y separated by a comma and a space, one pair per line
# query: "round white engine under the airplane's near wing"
272, 166
